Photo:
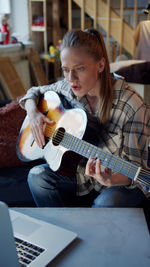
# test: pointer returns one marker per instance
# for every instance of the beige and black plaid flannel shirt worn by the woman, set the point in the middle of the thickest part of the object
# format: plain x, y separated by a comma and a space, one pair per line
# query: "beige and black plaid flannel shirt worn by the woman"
127, 133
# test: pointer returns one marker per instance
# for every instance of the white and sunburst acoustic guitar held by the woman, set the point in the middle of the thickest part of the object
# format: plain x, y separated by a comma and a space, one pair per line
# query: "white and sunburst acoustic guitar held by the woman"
66, 135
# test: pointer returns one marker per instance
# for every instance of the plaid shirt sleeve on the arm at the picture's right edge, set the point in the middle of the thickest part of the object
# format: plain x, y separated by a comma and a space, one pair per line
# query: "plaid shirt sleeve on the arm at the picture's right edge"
137, 138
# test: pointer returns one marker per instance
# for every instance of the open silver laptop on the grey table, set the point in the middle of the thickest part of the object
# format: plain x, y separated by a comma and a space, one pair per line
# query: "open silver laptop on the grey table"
25, 241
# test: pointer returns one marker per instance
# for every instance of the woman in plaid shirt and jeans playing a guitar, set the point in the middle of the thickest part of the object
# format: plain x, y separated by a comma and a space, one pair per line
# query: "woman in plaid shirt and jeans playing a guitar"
125, 131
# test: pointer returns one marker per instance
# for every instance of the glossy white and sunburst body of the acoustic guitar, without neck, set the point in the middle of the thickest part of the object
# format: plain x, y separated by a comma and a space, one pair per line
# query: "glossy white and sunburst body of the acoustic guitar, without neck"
73, 121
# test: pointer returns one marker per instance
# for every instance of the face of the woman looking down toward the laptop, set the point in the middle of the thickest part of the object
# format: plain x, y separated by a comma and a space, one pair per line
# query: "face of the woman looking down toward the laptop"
81, 71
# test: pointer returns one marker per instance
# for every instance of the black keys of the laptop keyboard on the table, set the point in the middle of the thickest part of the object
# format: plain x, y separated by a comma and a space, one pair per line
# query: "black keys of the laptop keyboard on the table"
27, 252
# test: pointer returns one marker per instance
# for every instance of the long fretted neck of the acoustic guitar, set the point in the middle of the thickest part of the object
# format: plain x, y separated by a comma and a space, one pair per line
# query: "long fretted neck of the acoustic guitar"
109, 160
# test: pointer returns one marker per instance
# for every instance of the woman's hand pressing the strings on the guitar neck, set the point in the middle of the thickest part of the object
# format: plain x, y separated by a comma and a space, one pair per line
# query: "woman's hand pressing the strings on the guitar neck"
93, 168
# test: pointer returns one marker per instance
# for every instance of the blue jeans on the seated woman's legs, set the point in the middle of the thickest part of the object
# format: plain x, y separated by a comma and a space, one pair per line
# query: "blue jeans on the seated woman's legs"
51, 189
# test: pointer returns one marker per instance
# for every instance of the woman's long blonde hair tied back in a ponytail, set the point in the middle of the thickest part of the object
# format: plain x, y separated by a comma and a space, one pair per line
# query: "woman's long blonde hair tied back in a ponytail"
93, 42
